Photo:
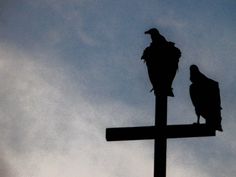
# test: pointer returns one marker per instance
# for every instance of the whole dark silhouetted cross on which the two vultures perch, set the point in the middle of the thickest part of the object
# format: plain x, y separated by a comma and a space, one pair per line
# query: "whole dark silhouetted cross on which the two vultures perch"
159, 132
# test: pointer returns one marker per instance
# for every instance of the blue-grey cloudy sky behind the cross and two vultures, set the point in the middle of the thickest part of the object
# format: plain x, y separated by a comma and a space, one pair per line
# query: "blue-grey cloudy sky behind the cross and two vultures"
70, 69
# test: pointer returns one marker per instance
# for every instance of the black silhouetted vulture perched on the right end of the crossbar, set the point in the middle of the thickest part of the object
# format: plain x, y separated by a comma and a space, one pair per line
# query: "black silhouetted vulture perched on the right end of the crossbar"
205, 96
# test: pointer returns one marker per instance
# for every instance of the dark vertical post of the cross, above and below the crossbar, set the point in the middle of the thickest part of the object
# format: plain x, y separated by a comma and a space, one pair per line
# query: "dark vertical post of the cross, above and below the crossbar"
160, 144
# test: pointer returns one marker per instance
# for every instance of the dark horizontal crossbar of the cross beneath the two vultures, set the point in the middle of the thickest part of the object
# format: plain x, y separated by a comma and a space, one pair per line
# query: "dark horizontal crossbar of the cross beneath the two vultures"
153, 132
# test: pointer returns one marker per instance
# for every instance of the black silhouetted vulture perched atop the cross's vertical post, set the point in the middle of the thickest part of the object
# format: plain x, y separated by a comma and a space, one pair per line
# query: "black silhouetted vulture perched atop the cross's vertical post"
162, 59
